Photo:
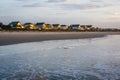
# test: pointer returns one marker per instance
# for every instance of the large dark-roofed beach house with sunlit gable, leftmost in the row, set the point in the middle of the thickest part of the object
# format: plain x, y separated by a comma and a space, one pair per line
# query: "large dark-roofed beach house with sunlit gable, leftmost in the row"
16, 25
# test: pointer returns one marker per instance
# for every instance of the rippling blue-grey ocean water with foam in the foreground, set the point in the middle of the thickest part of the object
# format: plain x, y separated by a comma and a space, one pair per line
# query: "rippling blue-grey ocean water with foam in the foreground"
78, 59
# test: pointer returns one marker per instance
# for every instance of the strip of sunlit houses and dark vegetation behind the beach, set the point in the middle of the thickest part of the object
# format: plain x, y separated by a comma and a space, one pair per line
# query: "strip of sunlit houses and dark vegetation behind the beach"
41, 26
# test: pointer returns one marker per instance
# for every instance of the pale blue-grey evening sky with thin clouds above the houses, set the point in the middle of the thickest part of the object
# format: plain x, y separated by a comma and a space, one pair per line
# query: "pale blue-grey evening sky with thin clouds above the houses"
99, 13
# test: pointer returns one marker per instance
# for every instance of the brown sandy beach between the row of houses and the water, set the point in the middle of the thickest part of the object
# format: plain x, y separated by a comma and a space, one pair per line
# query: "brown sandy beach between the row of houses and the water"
7, 38
